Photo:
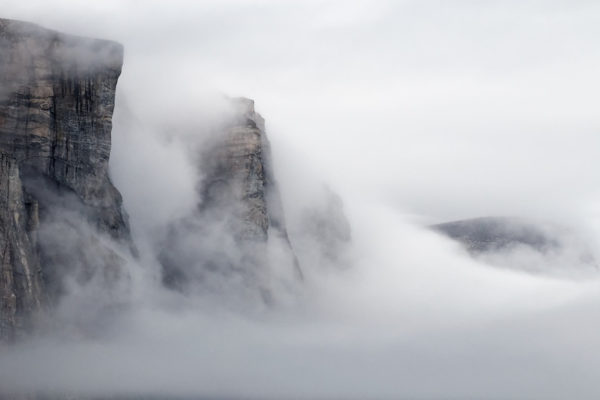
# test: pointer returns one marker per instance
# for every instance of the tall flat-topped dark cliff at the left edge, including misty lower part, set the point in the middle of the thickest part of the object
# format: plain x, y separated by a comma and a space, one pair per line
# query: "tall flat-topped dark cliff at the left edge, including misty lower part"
56, 102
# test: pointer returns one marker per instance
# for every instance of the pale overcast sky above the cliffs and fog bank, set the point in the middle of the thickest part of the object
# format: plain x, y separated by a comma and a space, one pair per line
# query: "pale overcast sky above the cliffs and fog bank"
448, 109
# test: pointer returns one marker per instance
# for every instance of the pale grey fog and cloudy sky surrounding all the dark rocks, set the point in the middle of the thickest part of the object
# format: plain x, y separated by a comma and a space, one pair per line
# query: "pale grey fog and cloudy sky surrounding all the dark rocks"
413, 113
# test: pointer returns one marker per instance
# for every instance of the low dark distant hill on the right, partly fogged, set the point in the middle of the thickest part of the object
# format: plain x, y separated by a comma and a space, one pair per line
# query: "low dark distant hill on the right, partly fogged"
525, 245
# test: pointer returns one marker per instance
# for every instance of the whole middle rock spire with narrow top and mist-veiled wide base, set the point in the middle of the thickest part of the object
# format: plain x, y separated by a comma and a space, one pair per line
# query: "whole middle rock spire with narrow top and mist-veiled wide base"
238, 232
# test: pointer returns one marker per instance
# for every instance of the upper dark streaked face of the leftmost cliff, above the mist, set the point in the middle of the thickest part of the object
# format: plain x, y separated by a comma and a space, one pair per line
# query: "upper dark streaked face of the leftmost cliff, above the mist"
56, 104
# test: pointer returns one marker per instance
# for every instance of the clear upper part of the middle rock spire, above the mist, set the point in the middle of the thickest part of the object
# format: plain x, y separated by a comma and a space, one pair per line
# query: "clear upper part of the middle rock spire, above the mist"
239, 179
